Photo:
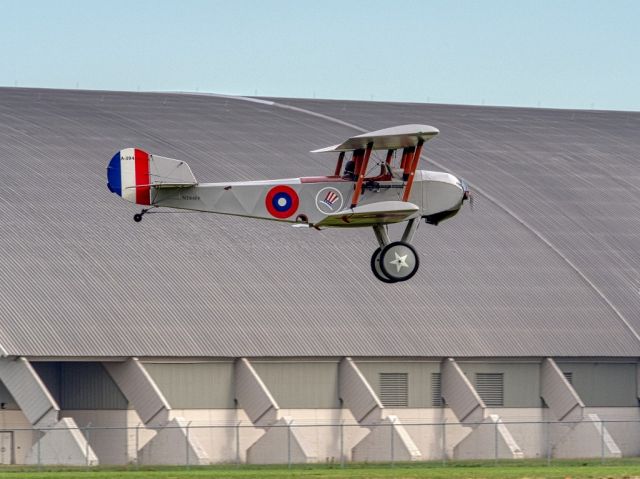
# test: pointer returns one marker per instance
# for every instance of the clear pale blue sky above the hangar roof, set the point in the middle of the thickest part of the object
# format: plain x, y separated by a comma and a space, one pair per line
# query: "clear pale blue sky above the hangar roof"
563, 54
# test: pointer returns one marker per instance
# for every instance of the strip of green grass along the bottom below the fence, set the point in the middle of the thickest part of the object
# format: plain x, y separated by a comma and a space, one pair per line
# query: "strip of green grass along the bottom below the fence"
588, 469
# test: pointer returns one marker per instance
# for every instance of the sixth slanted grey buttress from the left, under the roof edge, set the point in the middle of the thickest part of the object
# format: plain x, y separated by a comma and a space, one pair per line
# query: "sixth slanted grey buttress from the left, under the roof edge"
556, 391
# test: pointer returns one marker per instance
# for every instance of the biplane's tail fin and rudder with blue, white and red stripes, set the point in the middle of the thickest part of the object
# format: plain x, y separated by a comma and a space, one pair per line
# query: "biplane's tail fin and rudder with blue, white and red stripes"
132, 173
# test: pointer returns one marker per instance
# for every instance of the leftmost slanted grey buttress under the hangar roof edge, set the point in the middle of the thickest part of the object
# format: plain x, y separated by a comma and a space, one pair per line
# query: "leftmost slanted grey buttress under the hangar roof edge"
26, 387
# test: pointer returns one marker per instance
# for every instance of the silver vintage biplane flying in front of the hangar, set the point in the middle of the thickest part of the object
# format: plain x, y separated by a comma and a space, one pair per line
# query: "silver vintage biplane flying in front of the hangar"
361, 192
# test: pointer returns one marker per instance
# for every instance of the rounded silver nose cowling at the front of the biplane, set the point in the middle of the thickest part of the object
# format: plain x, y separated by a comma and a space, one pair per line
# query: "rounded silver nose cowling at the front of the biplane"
443, 195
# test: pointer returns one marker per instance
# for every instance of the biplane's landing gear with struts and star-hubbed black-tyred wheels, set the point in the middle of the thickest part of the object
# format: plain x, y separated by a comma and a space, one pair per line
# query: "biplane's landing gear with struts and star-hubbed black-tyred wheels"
395, 261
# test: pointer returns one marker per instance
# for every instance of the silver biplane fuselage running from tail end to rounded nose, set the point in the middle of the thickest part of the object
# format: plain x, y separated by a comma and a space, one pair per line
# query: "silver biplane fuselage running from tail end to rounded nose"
433, 194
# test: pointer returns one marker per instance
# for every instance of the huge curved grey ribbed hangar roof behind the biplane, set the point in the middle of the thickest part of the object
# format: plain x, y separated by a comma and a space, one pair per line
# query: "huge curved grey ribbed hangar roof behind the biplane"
546, 264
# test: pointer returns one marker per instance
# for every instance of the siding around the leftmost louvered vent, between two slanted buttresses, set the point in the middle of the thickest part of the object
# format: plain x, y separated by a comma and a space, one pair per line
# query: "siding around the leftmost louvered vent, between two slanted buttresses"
419, 375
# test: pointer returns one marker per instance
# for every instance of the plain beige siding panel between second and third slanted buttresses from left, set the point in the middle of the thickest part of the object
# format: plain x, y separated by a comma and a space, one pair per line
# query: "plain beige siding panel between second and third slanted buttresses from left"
202, 385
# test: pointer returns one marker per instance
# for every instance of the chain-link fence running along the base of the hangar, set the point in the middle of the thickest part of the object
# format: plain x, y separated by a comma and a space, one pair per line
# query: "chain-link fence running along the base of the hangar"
290, 442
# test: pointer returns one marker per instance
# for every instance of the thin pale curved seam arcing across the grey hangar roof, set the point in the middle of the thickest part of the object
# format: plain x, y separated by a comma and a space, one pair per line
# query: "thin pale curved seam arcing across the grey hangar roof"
500, 205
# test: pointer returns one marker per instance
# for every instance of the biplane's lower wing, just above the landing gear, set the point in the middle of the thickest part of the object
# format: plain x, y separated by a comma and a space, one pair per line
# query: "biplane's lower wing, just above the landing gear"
383, 212
